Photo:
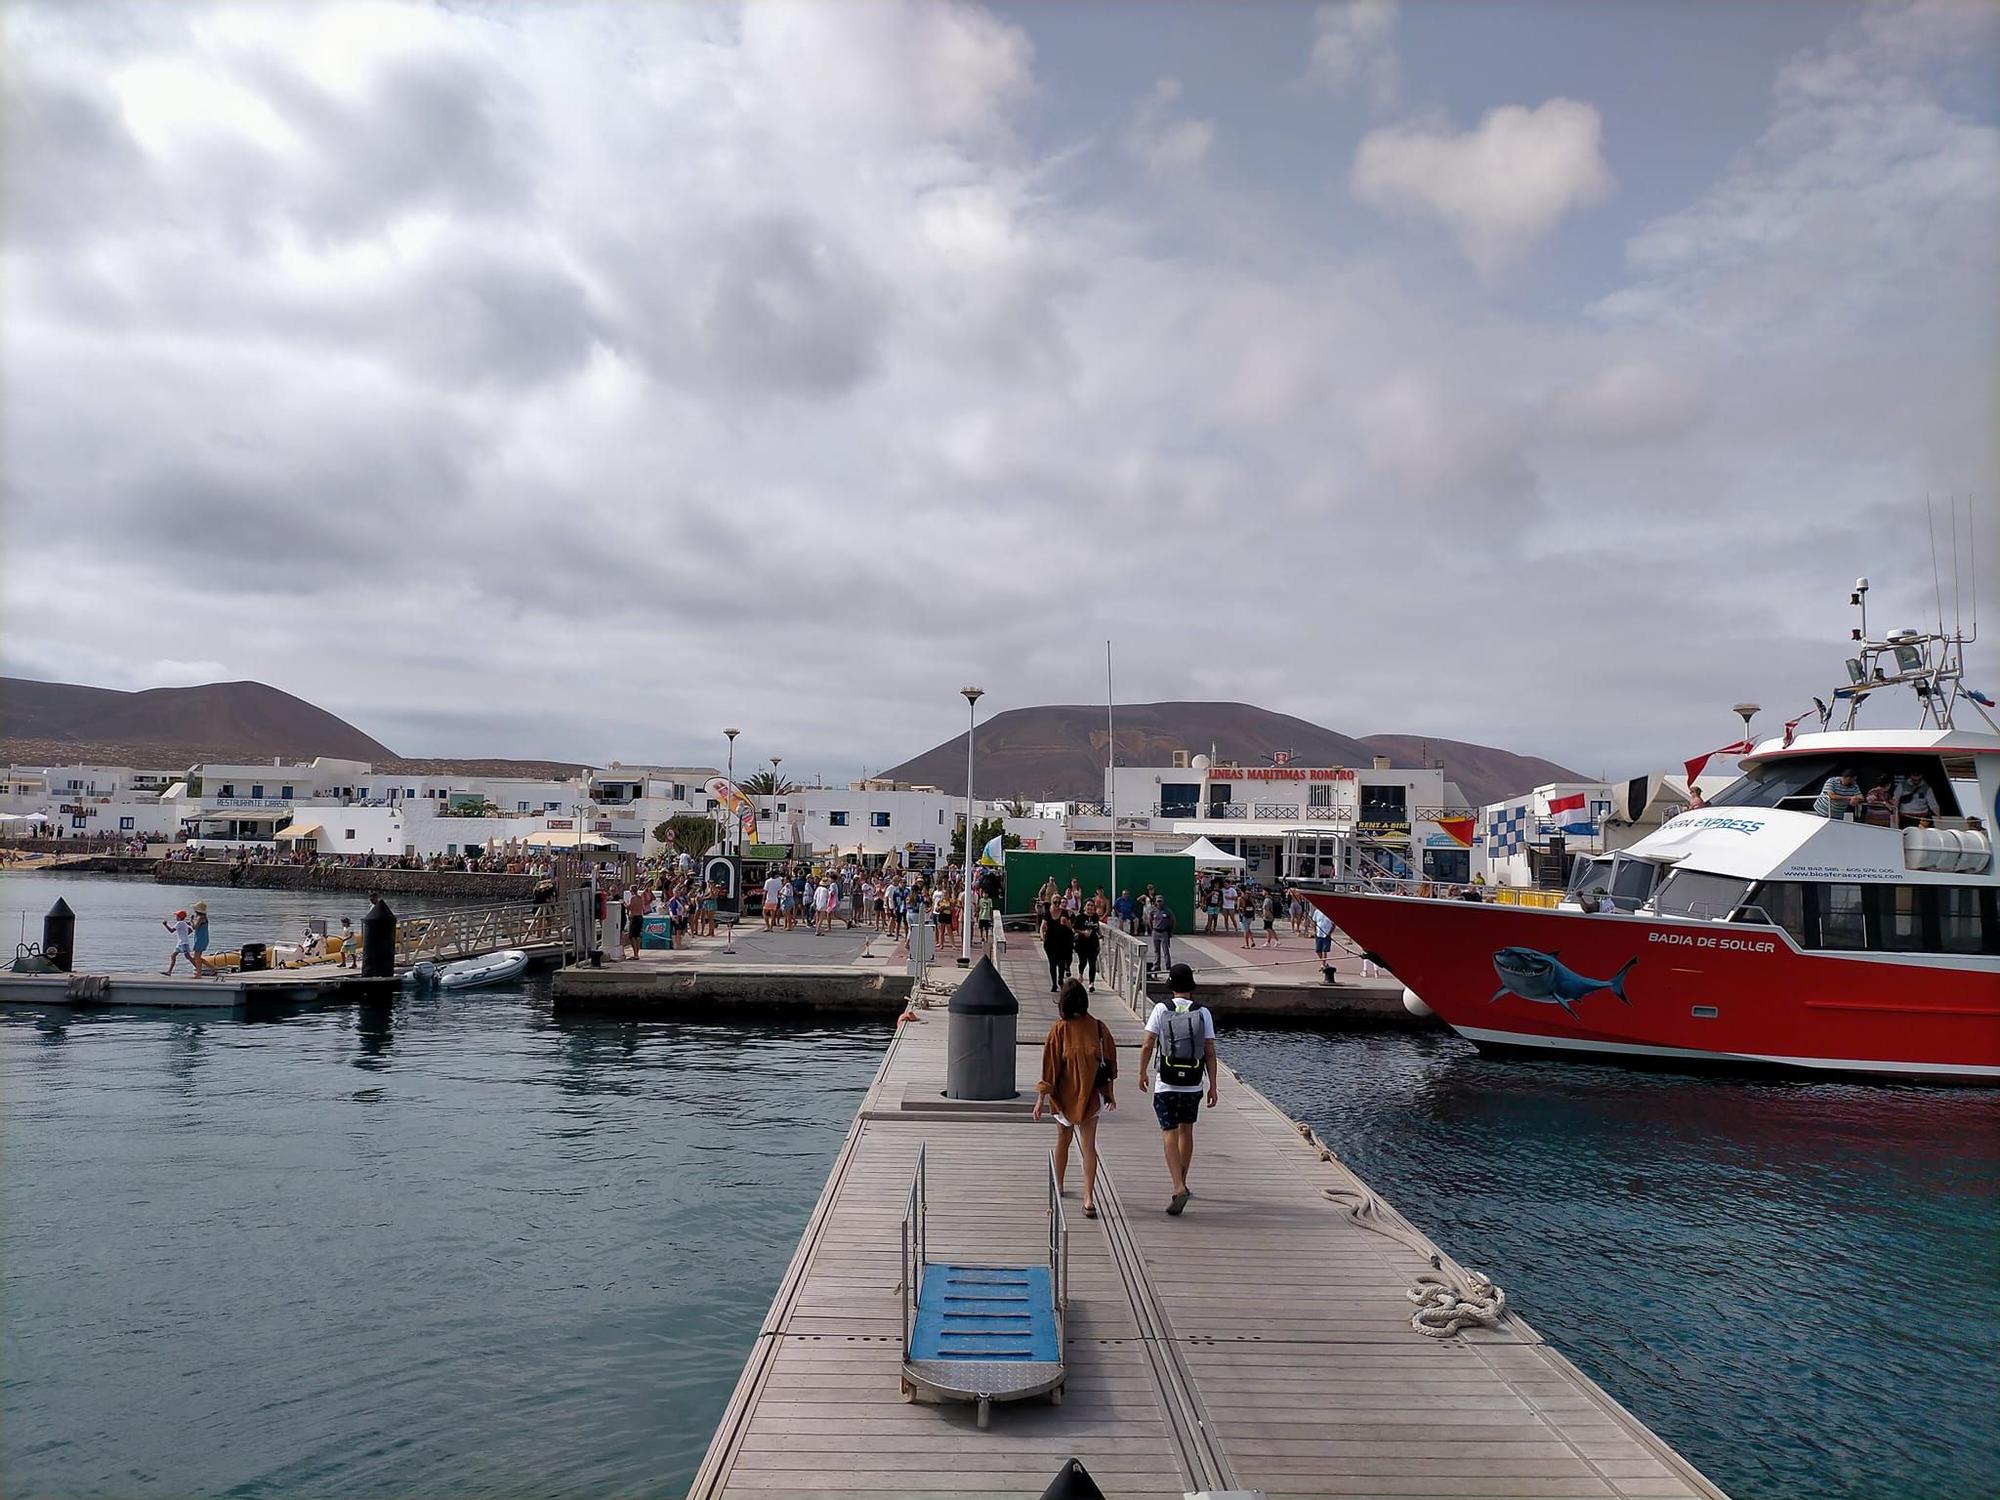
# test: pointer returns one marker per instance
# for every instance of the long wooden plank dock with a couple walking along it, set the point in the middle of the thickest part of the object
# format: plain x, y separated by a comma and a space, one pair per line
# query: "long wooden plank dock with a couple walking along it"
1261, 1341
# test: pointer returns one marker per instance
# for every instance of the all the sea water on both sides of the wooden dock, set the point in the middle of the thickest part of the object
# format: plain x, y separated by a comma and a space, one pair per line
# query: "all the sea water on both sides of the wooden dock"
465, 1247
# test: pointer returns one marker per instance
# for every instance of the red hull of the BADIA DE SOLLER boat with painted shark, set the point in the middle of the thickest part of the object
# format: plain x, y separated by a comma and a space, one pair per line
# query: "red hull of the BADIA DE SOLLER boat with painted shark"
1639, 989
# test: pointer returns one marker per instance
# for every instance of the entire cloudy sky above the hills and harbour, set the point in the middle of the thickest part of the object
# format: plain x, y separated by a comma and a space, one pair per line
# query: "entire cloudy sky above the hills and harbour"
577, 381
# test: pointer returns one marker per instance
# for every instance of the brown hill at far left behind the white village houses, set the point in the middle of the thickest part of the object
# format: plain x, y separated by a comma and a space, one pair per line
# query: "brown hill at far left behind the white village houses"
173, 727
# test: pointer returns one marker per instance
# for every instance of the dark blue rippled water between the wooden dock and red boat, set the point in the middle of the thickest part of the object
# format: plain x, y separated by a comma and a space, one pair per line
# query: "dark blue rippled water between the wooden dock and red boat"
1783, 1279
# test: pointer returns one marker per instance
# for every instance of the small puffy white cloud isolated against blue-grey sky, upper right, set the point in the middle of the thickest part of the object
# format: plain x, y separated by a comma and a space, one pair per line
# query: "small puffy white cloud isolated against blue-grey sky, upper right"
1499, 189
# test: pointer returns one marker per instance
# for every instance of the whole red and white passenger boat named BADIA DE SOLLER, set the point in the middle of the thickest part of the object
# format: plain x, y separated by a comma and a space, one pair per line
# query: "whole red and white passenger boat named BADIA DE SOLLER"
1753, 931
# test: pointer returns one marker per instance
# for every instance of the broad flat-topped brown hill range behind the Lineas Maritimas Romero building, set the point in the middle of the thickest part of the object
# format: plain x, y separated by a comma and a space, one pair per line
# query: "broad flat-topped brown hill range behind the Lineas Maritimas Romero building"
1059, 751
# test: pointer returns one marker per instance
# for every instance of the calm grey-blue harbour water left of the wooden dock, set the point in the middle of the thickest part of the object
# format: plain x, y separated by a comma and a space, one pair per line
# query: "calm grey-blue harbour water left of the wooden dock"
445, 1247
